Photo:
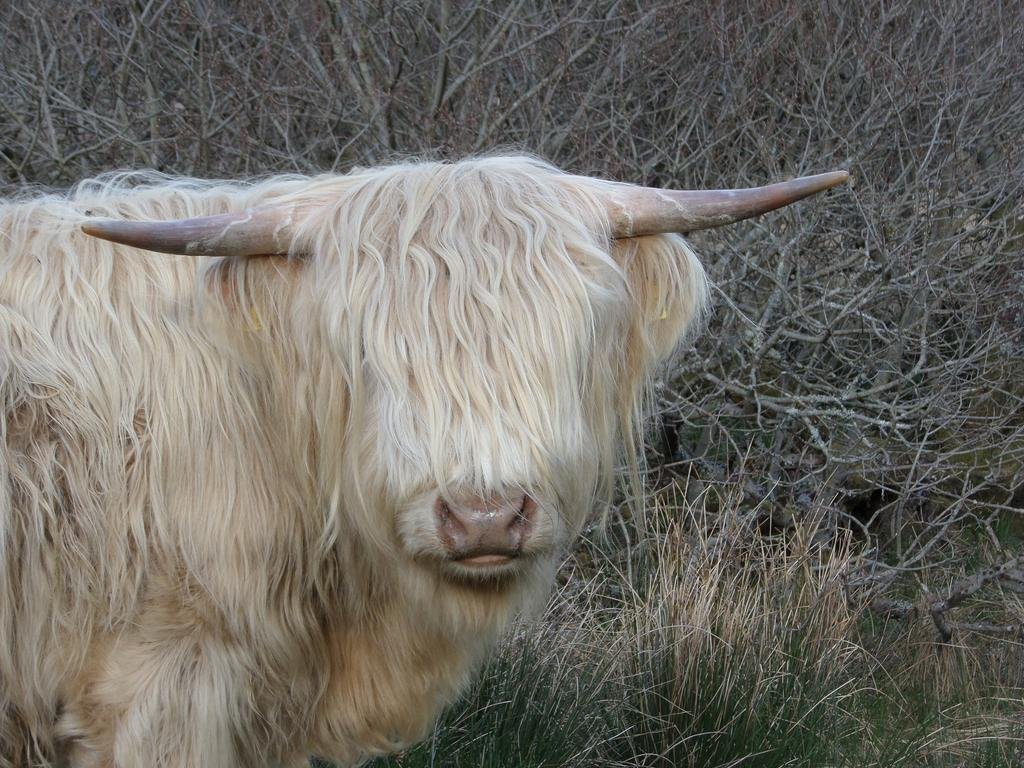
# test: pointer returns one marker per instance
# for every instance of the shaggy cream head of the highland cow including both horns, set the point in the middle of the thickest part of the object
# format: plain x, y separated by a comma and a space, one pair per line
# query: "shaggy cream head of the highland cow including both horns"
479, 338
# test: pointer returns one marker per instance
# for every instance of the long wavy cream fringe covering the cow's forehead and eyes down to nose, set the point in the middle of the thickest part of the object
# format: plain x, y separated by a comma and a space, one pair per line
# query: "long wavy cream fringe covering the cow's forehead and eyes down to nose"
482, 319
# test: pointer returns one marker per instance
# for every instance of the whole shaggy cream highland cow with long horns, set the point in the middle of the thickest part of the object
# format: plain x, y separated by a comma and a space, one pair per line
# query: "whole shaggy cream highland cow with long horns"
255, 509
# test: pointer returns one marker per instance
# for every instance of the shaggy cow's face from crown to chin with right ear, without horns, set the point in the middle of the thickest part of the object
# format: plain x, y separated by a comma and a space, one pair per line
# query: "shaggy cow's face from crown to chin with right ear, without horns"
495, 346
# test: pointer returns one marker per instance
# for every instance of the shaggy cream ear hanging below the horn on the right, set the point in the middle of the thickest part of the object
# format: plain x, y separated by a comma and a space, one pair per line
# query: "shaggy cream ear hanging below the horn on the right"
669, 291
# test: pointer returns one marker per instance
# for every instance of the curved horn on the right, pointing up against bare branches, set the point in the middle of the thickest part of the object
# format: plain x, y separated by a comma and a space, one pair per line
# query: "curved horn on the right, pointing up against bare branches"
643, 210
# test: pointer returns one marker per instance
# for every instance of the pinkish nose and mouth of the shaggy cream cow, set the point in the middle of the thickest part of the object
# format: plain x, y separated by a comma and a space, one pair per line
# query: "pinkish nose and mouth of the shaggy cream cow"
485, 531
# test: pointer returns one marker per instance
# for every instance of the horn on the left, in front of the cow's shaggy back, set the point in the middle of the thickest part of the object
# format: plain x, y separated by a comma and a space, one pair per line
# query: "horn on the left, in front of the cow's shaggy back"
257, 232
